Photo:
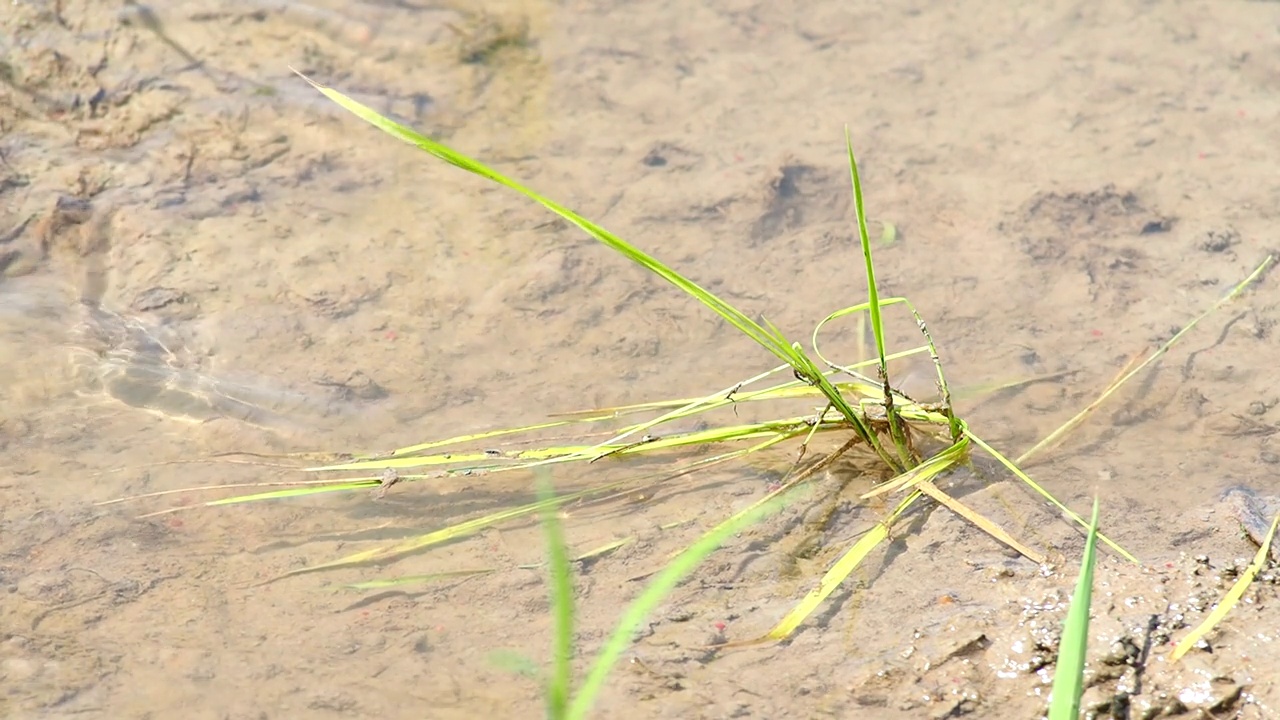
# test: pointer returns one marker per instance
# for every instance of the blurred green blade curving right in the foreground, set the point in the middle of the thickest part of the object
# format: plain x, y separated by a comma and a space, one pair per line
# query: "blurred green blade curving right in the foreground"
653, 595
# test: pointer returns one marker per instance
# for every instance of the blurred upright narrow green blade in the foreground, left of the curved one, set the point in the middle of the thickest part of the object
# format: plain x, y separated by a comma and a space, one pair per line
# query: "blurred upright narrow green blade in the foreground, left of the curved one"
561, 585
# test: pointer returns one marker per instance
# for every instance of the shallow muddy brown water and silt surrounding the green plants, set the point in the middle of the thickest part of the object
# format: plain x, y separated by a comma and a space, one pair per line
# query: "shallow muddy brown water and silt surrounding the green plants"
202, 256
